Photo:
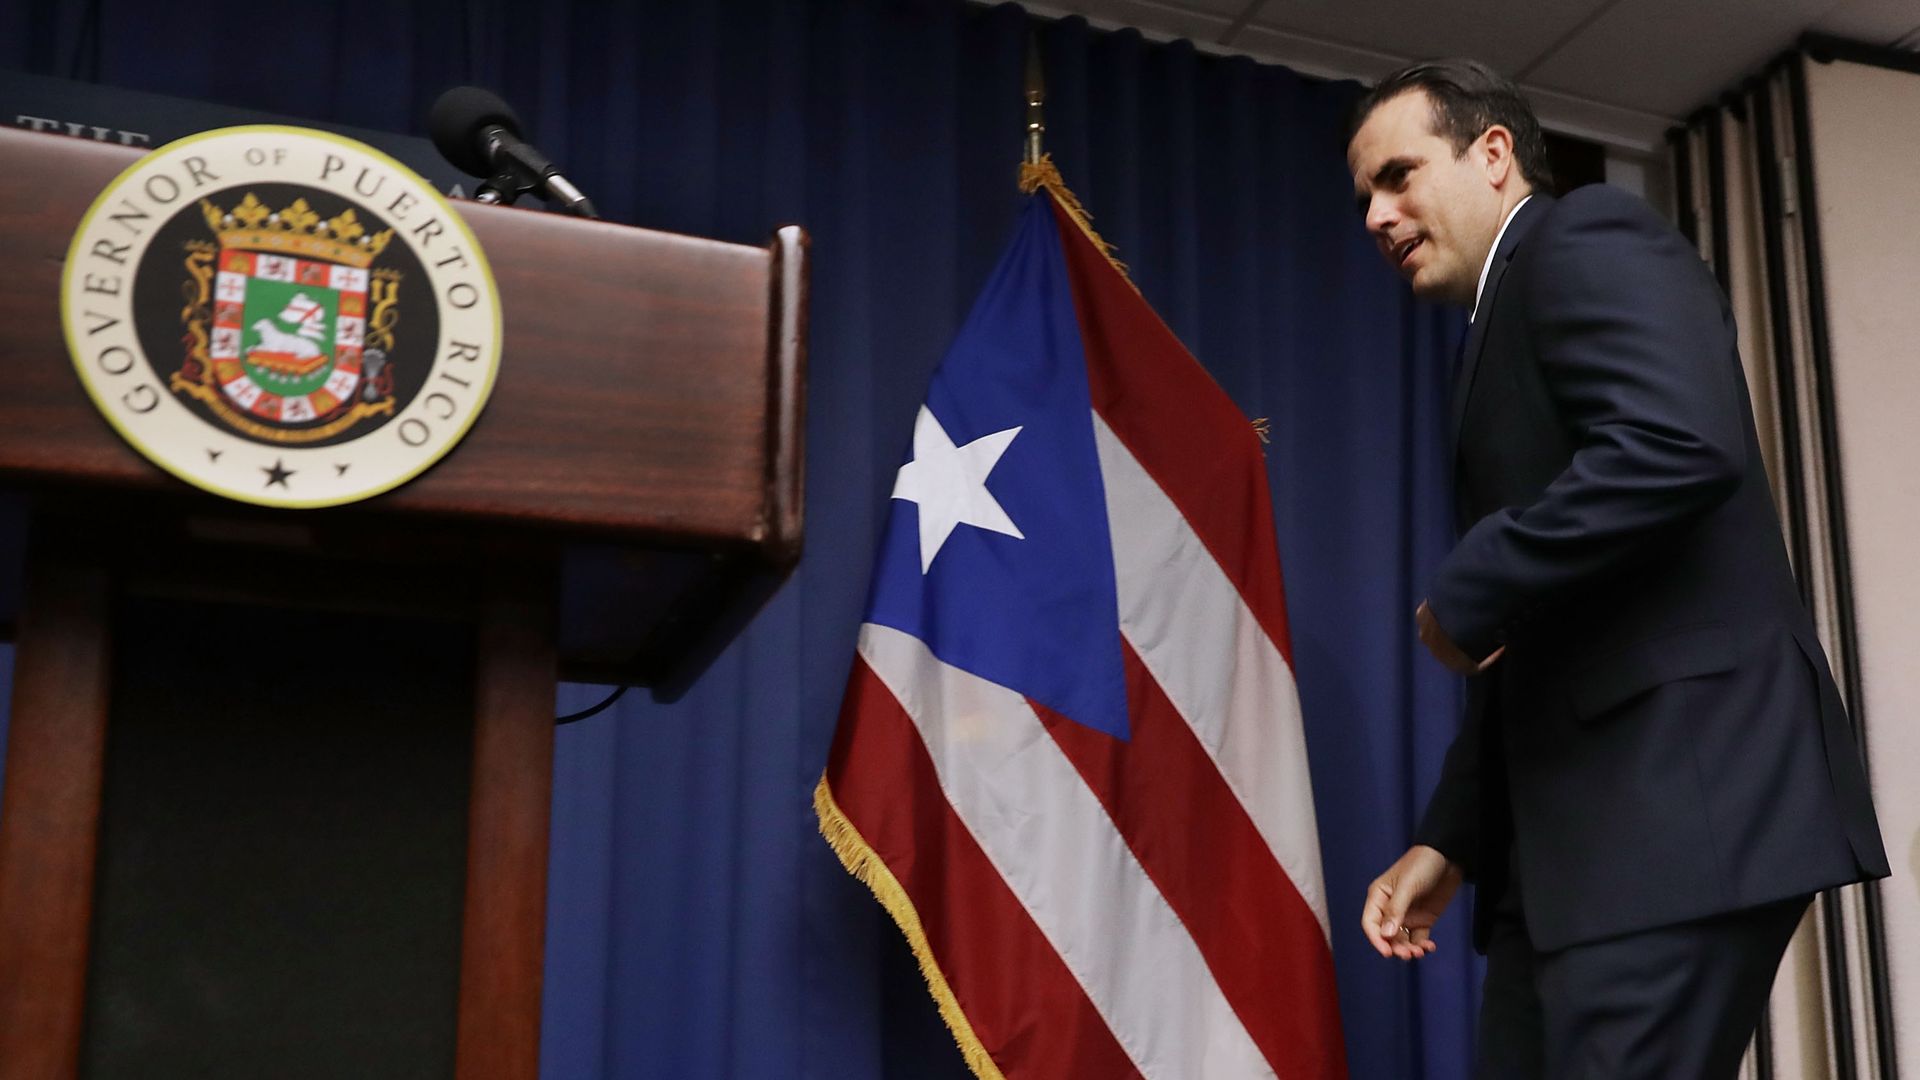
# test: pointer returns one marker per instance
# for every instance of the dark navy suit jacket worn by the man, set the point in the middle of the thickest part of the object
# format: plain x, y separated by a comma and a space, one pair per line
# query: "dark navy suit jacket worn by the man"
1664, 739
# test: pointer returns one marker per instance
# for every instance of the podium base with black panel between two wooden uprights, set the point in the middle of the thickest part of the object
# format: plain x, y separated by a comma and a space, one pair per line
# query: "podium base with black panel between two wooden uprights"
254, 827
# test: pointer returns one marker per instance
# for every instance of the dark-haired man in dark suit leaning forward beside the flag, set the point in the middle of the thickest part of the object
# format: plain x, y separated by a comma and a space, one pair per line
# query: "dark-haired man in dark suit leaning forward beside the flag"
1656, 772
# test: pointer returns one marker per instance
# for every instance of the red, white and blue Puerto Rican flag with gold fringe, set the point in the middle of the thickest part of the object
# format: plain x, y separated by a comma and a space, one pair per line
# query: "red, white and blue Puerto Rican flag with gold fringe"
1070, 758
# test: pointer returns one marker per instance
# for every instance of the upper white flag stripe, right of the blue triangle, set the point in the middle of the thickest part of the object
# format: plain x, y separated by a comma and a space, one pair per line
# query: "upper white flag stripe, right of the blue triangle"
1214, 662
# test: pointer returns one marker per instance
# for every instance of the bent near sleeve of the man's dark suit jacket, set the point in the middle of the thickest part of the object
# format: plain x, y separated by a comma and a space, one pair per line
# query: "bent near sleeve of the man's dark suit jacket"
1639, 356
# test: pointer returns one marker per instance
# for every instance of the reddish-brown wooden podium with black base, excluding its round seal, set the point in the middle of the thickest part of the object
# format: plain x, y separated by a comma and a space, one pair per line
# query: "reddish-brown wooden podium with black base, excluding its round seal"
277, 783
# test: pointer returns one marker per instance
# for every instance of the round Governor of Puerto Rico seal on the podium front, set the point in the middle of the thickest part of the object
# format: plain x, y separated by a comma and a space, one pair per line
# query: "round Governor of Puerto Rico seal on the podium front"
281, 316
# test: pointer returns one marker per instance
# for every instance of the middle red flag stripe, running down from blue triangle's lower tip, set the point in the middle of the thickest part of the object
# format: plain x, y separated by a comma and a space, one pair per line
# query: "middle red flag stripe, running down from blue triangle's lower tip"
1209, 860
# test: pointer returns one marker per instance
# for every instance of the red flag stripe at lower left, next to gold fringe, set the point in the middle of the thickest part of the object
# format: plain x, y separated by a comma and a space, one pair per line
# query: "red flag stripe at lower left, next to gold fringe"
1024, 1004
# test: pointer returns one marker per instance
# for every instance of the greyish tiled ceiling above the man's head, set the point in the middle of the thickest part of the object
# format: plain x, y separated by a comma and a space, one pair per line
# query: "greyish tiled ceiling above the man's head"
1620, 72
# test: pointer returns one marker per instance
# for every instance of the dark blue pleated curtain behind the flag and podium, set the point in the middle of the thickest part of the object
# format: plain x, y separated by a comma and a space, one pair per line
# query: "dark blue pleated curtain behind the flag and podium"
698, 925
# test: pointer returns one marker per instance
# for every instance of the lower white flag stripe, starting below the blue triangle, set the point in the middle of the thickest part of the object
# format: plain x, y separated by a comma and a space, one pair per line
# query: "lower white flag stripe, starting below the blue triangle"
1061, 854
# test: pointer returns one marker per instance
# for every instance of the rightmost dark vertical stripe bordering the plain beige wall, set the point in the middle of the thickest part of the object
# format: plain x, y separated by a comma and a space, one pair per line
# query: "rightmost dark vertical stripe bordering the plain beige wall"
1836, 510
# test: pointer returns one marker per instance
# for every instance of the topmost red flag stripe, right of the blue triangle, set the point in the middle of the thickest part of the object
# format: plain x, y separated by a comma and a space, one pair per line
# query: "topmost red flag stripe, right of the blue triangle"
1182, 428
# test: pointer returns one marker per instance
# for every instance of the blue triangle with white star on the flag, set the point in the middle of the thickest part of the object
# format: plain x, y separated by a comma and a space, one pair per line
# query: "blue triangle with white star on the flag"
1034, 612
